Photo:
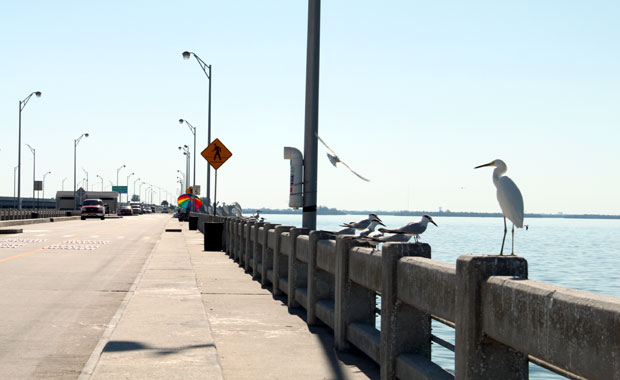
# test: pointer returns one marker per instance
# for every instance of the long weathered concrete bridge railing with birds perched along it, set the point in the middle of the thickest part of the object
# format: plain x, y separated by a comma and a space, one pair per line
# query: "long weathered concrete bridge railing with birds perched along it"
501, 319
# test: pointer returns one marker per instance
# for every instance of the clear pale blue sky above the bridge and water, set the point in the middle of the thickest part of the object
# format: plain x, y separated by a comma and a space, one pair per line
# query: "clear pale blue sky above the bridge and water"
413, 95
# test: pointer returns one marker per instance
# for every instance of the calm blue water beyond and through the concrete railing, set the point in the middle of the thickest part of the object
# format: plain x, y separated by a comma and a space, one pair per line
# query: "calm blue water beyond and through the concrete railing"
576, 253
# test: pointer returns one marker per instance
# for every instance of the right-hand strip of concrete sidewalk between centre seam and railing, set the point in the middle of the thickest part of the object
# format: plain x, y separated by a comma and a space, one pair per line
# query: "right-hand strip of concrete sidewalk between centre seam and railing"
256, 336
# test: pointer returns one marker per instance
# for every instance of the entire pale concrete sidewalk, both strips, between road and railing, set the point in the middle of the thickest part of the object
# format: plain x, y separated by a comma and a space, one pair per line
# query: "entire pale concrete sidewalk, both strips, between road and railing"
161, 330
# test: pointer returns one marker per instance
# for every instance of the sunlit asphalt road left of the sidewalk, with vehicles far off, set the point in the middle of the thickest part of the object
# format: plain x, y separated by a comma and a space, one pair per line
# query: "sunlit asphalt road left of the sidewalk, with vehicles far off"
60, 284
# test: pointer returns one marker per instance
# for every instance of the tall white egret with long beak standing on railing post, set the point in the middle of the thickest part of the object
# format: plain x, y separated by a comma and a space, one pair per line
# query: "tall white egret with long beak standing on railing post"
509, 198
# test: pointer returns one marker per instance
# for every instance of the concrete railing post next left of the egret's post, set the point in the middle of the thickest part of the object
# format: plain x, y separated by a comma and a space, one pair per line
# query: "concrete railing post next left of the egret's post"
403, 328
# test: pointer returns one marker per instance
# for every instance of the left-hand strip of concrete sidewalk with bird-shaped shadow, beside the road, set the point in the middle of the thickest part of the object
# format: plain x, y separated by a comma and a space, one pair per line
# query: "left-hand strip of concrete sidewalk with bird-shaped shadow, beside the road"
161, 330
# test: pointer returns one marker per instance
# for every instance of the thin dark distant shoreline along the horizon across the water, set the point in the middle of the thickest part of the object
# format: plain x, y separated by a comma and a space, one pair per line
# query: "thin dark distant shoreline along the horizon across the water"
332, 211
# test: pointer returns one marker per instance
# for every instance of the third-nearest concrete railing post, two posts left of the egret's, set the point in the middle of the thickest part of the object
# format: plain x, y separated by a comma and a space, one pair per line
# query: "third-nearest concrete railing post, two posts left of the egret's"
348, 303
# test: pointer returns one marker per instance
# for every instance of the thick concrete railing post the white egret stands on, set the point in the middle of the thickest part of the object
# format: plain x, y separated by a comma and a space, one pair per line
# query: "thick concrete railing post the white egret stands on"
478, 357
